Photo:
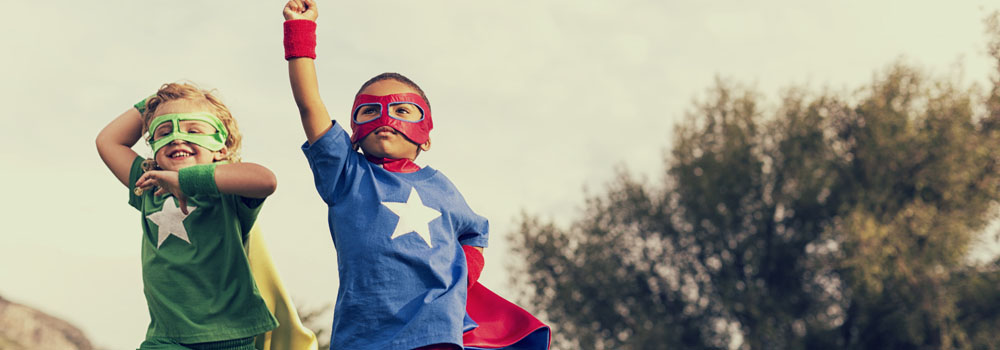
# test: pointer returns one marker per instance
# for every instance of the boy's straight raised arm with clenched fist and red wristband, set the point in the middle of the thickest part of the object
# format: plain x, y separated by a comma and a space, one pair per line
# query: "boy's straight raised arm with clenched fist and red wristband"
300, 29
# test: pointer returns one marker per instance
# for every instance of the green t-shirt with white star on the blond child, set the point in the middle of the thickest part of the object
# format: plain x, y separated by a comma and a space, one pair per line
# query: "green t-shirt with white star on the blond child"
195, 272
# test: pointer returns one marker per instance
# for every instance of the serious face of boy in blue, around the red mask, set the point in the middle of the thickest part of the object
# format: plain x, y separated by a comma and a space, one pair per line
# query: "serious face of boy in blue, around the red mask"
386, 142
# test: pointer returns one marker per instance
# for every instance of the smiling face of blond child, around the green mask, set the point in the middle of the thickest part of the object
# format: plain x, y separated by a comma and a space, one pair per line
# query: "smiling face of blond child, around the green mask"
180, 154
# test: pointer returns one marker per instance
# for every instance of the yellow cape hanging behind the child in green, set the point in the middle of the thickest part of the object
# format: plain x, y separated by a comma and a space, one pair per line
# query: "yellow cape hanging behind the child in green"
290, 334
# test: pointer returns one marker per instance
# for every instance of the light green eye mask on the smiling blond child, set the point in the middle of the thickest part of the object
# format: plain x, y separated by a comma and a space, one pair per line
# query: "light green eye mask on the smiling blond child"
212, 142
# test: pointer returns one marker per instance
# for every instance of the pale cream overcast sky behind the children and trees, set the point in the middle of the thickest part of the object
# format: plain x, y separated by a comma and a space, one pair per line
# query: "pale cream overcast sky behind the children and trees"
536, 104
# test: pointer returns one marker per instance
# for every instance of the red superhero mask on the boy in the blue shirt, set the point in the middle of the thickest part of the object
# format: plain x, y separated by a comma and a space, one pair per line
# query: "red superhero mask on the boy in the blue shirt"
417, 131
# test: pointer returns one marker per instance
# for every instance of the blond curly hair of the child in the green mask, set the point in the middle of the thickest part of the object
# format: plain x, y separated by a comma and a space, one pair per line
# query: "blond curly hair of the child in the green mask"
186, 91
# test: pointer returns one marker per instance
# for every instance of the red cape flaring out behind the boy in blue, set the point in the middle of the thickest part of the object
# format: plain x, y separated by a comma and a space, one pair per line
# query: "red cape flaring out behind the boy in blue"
501, 323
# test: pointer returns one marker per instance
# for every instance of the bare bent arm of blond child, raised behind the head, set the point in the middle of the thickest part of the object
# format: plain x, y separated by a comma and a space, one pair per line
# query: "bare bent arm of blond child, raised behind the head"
115, 141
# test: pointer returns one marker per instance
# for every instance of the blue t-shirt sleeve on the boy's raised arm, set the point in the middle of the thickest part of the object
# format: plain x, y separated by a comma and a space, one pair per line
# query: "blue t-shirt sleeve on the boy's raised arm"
331, 159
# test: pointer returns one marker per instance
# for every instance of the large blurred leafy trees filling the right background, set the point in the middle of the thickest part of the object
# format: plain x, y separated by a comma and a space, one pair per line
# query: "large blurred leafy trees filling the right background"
828, 222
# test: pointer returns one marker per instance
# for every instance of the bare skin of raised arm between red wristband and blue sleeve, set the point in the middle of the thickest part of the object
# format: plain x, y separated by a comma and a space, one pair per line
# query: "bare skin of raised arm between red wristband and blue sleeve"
305, 87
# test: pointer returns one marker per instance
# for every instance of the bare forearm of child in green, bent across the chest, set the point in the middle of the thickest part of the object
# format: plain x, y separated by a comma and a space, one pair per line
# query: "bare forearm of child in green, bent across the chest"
245, 179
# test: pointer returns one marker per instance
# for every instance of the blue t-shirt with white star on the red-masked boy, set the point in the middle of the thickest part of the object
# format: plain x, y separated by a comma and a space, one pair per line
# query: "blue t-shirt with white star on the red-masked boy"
399, 240
